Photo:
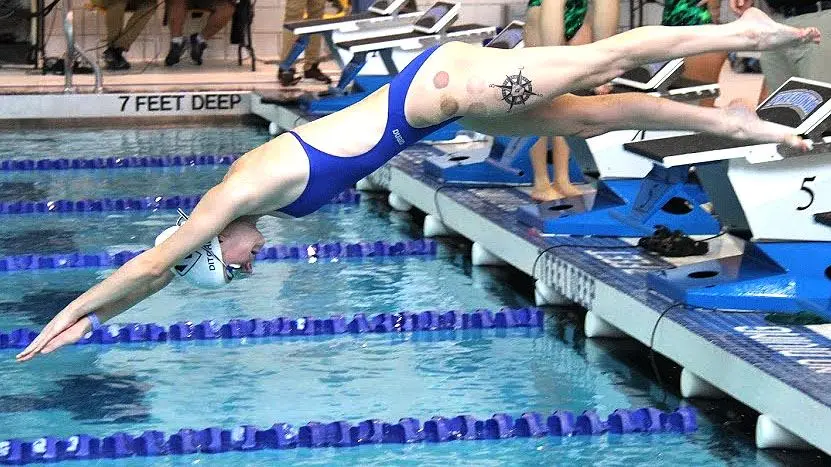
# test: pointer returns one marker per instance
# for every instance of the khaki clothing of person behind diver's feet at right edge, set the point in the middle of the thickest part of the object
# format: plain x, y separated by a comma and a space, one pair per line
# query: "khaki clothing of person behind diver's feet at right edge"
805, 61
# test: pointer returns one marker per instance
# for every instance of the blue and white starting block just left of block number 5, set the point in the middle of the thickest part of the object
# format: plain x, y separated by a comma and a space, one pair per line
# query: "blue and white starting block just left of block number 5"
633, 195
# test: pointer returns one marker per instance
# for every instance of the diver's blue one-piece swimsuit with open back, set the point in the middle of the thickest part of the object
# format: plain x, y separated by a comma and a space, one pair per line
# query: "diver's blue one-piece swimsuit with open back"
330, 175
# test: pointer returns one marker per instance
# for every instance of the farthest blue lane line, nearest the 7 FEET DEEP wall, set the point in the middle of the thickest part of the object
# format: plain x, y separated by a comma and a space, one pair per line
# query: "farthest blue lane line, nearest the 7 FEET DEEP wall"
130, 162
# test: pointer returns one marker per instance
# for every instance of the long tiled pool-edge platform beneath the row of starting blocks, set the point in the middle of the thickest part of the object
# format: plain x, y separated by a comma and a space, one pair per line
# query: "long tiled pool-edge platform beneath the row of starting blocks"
781, 371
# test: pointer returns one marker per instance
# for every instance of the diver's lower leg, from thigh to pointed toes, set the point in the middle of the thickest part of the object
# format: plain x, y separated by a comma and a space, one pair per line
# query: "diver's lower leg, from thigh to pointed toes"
595, 115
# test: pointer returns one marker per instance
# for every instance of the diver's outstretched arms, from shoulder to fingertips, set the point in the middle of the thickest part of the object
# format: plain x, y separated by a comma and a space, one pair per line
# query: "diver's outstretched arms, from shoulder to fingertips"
147, 273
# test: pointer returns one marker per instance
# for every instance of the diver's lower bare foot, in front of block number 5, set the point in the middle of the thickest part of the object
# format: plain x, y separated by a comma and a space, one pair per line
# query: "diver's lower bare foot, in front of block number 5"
746, 125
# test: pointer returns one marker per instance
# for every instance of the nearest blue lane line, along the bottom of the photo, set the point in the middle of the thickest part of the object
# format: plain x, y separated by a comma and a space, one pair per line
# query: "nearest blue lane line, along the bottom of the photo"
342, 434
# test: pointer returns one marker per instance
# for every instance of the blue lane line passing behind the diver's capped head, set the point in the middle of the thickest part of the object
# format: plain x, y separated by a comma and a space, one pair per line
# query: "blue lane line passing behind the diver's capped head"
290, 252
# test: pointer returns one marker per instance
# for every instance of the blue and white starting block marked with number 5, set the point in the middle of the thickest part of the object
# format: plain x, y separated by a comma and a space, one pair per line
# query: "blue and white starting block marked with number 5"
787, 265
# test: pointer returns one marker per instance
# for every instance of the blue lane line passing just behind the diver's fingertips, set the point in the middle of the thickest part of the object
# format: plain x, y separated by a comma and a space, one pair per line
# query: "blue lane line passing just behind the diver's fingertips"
236, 329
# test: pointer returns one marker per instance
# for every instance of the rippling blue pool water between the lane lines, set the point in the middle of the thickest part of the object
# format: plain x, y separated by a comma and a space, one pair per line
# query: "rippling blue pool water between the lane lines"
99, 391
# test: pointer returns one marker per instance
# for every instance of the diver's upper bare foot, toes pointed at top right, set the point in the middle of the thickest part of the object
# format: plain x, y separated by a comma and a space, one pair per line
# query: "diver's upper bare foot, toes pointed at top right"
767, 34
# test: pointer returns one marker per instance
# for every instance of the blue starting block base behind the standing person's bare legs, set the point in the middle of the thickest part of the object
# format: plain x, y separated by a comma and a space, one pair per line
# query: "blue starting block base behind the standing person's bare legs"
505, 162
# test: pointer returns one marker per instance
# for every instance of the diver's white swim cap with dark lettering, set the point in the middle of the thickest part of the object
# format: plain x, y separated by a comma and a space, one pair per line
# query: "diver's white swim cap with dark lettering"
202, 268
